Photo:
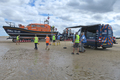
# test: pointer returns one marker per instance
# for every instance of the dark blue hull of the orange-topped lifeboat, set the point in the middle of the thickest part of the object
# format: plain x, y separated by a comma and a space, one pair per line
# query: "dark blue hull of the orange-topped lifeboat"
15, 31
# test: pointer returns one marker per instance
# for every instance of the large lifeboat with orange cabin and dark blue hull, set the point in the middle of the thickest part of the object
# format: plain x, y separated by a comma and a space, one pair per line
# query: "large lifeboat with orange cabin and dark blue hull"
29, 31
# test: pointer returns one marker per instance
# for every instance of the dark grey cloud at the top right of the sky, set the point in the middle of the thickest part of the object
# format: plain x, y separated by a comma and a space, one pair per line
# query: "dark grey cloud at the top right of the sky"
94, 6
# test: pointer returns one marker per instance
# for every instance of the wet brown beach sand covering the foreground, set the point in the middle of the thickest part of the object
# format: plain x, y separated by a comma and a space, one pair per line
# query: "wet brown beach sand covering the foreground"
22, 62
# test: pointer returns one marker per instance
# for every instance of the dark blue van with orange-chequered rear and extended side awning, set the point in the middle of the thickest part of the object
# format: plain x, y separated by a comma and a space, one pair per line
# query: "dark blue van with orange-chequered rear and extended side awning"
98, 35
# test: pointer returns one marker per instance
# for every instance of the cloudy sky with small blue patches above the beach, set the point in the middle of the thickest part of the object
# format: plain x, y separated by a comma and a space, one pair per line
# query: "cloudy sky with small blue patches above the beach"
62, 13
